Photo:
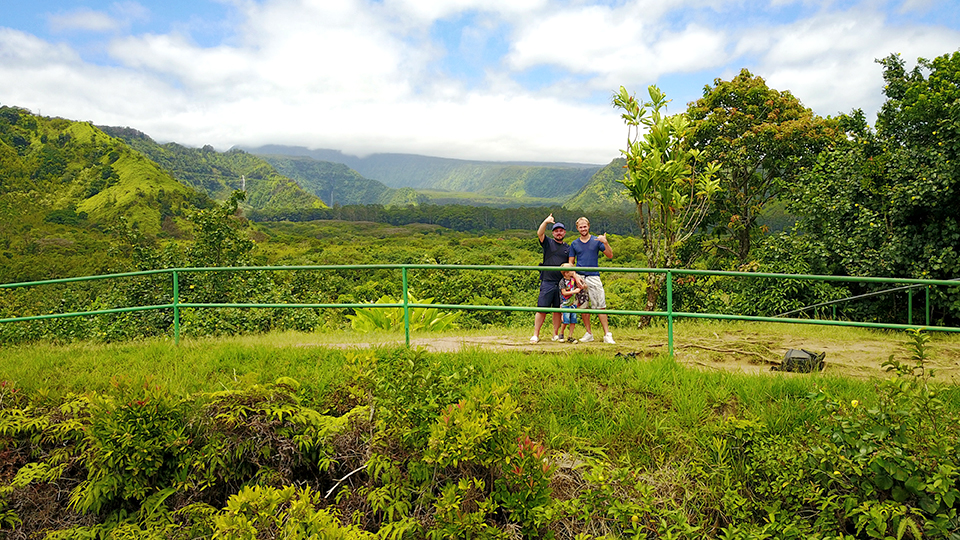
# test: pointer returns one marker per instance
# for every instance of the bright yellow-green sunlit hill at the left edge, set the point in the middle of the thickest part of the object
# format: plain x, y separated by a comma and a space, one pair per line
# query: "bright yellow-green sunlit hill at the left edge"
64, 185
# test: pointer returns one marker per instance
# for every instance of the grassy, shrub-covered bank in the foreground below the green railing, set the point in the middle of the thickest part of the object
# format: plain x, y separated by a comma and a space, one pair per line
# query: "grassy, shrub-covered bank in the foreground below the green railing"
632, 447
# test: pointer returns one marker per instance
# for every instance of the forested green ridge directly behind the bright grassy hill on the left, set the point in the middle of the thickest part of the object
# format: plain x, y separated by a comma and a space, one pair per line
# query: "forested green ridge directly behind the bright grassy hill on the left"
218, 174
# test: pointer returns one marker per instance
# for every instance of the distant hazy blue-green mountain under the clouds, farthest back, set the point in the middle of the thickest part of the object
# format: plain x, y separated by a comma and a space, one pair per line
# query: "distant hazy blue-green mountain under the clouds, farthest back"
556, 181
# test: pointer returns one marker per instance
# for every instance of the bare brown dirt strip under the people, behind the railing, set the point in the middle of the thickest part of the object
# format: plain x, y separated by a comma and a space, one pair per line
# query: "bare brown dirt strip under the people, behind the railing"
738, 350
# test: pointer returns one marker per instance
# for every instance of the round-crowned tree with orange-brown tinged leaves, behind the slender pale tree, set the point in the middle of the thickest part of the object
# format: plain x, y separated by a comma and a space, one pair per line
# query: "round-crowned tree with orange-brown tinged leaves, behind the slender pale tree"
762, 139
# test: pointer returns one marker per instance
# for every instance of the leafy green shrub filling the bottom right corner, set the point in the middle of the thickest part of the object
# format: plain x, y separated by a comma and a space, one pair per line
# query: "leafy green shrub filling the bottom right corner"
895, 465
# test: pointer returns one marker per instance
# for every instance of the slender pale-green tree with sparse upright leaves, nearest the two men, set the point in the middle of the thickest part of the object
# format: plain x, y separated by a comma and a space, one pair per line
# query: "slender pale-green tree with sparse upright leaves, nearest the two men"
671, 190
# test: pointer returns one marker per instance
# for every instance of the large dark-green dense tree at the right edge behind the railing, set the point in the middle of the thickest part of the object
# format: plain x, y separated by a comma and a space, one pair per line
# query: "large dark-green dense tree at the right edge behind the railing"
885, 203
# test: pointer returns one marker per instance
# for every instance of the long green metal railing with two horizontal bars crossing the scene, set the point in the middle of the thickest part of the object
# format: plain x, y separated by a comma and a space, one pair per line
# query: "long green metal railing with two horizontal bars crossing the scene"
176, 304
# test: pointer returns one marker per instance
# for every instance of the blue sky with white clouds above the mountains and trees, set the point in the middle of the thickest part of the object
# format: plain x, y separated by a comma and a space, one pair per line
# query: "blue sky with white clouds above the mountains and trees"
497, 80
